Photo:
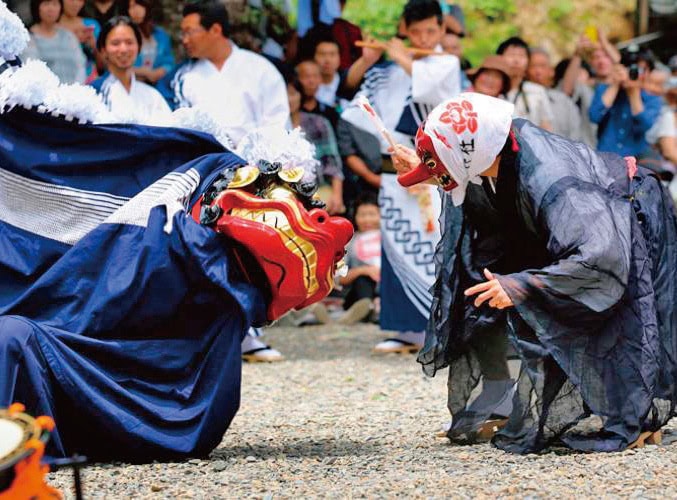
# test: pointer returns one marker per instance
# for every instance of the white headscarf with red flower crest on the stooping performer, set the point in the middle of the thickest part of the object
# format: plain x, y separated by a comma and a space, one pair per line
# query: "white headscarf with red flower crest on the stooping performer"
467, 133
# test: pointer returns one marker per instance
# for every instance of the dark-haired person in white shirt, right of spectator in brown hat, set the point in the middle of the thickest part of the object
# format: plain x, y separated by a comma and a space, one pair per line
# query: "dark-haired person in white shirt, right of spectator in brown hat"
530, 99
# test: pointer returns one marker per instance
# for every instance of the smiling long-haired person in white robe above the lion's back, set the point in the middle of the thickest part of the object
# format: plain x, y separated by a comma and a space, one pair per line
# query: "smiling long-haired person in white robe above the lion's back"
130, 100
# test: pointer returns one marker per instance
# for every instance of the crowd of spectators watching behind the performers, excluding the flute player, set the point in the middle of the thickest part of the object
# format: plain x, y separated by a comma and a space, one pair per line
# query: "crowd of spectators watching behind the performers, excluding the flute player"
623, 103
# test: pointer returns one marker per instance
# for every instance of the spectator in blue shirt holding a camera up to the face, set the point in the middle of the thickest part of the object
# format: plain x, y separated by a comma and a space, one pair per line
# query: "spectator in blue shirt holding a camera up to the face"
623, 111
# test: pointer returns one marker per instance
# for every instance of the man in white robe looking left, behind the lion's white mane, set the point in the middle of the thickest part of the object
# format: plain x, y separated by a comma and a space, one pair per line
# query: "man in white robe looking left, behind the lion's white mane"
241, 89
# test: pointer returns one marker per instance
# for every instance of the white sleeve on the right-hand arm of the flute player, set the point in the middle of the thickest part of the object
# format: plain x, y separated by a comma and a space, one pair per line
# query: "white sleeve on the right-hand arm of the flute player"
435, 78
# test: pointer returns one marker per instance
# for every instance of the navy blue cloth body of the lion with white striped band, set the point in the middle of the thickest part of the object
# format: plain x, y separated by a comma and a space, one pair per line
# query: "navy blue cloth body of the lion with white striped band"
119, 315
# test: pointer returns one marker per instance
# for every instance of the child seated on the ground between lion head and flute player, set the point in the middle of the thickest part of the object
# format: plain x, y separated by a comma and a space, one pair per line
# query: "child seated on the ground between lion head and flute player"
363, 258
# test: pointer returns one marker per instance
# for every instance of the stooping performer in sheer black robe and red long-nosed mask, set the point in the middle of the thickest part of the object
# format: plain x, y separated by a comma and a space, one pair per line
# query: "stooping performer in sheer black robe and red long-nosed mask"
569, 253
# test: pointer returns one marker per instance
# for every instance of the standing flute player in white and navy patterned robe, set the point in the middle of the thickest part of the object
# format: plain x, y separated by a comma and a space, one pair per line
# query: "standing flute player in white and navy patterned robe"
403, 91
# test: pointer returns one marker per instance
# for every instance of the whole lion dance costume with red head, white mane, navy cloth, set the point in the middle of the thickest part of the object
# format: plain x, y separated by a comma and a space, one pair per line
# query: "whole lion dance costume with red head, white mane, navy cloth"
133, 260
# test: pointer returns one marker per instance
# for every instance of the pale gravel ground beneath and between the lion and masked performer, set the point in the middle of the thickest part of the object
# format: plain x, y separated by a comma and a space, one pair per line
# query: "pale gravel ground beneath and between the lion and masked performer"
336, 421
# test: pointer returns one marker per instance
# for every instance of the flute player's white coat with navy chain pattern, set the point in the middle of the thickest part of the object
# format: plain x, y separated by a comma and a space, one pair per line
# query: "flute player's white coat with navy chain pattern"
408, 241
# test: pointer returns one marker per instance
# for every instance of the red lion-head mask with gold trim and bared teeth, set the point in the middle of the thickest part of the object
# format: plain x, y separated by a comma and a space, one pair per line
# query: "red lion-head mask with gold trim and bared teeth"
298, 249
